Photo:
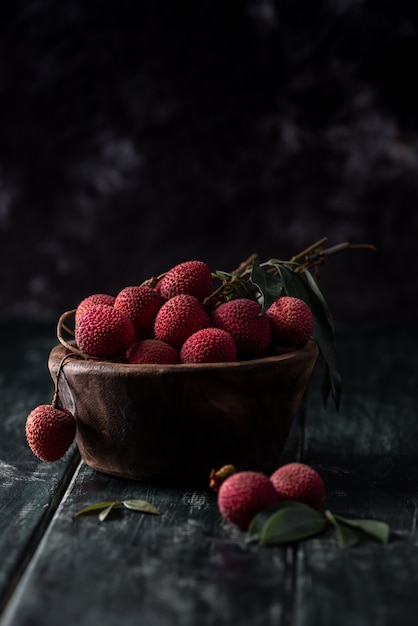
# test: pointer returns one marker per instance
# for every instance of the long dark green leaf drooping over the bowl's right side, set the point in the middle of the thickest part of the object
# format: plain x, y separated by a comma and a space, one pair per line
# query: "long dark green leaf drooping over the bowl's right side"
307, 290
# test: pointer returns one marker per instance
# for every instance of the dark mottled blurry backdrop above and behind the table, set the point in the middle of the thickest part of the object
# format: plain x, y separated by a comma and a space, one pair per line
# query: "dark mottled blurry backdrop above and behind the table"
135, 135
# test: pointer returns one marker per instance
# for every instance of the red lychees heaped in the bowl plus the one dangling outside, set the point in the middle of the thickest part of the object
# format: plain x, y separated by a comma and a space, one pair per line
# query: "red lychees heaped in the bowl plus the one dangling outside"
170, 321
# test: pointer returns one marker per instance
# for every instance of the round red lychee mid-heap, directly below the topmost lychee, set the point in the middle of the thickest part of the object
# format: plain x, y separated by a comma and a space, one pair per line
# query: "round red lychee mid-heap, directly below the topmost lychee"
179, 318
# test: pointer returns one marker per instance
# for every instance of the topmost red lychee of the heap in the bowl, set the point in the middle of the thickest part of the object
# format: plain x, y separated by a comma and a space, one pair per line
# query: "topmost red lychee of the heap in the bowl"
190, 277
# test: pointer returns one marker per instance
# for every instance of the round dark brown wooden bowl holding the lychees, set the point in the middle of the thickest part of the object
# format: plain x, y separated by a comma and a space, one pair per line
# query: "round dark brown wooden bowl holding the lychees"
175, 423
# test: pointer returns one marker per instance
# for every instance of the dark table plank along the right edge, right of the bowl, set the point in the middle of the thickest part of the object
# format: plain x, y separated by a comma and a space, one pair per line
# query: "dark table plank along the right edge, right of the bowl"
367, 455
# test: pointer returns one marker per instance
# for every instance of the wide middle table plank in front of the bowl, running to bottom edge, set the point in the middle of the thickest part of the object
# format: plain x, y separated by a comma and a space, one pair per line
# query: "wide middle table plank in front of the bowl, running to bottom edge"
185, 567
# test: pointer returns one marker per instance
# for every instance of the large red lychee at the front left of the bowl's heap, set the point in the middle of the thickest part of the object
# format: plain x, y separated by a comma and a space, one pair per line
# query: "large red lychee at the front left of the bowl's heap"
104, 332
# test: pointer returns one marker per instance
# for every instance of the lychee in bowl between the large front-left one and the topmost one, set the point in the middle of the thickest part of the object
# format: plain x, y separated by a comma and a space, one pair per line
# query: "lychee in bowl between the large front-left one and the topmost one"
141, 304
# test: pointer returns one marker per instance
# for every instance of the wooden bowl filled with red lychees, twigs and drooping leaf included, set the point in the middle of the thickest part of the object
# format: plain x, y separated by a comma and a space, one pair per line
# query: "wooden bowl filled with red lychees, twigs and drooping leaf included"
176, 375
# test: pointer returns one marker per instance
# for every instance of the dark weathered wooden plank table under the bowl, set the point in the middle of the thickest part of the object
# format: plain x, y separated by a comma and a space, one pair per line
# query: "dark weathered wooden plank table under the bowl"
188, 566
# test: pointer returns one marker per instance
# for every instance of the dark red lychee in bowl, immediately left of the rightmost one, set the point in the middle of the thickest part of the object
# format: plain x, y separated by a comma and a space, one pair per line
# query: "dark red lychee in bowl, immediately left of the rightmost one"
249, 327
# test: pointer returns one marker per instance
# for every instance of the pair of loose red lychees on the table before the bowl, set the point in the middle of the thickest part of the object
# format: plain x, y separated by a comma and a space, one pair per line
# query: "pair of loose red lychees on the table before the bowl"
243, 494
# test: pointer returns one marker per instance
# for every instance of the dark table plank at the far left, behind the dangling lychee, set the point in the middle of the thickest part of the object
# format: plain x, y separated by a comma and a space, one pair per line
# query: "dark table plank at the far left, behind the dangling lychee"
29, 489
